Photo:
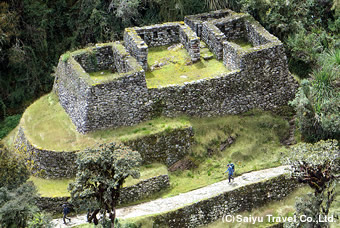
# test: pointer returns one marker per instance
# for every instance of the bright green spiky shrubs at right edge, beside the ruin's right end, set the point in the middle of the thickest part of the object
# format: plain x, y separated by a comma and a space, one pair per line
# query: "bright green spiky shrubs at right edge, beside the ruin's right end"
317, 103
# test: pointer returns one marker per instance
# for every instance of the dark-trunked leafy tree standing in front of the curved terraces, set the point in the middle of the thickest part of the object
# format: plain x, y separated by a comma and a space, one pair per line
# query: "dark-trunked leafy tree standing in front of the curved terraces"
100, 176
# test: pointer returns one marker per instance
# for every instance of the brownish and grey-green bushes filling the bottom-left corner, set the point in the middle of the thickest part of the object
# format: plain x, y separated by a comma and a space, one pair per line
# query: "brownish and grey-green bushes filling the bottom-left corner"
17, 197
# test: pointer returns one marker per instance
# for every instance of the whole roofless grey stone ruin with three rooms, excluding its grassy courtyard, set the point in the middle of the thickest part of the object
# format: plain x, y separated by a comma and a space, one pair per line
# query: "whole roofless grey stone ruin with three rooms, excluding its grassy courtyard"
258, 77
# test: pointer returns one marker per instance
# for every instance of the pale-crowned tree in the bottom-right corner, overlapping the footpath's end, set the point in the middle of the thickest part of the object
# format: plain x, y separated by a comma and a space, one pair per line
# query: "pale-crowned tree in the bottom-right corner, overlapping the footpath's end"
317, 165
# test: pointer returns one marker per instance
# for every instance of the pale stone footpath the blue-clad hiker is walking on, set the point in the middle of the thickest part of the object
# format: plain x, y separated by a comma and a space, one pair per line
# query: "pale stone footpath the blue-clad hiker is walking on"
178, 201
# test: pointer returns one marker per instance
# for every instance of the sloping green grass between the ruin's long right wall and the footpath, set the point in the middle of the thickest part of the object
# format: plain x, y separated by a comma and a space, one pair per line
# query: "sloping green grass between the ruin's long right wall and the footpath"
257, 146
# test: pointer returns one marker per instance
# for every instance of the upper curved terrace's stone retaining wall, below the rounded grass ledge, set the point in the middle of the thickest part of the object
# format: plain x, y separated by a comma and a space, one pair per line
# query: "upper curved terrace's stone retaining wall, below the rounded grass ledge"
165, 147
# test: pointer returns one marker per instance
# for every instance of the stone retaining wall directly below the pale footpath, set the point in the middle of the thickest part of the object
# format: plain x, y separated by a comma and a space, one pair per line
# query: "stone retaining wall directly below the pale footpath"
241, 199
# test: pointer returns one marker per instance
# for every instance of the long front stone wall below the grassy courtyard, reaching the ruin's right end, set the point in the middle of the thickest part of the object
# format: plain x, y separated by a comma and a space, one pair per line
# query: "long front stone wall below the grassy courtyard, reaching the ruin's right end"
229, 93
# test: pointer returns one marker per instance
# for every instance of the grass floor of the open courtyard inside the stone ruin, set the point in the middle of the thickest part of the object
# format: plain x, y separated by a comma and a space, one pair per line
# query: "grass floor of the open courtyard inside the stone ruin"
175, 70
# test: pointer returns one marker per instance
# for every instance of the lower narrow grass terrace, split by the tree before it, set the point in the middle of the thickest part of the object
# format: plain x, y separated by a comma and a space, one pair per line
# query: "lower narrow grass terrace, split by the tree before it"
58, 187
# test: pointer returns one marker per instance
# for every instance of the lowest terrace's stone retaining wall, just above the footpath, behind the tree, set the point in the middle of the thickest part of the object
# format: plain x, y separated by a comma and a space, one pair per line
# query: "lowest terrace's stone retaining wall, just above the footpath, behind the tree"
129, 194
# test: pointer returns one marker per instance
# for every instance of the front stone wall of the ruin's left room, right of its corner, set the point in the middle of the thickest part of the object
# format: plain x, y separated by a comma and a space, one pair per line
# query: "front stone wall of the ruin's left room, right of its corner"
120, 102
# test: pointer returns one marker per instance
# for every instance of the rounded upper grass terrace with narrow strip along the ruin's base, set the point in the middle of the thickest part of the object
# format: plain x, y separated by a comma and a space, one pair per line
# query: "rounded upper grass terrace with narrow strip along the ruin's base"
48, 126
